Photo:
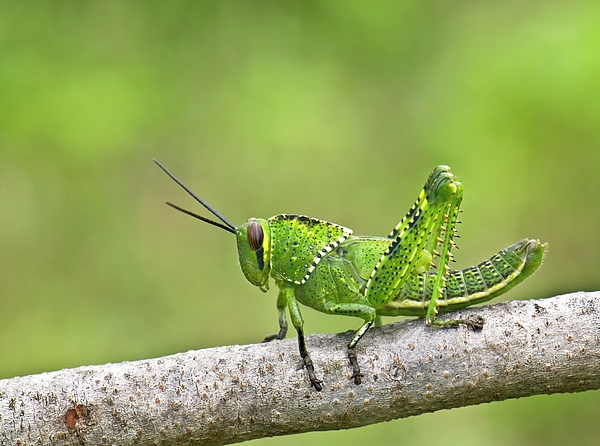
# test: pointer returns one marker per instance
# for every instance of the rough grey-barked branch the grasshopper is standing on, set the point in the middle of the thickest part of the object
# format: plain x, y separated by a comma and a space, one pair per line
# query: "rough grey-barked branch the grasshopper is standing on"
236, 393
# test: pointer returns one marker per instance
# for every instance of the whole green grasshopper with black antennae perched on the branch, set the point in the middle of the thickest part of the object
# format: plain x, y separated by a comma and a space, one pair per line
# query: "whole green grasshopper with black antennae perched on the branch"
323, 266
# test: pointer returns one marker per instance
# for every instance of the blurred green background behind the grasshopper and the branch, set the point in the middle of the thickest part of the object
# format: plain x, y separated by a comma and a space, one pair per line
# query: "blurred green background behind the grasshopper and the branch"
334, 109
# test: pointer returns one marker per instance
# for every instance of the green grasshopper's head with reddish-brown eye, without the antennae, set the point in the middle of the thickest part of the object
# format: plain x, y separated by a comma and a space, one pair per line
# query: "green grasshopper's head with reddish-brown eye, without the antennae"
254, 250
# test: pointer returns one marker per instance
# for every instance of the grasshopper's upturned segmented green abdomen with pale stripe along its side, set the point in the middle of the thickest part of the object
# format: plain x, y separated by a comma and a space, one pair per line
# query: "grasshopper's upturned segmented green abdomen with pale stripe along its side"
472, 285
